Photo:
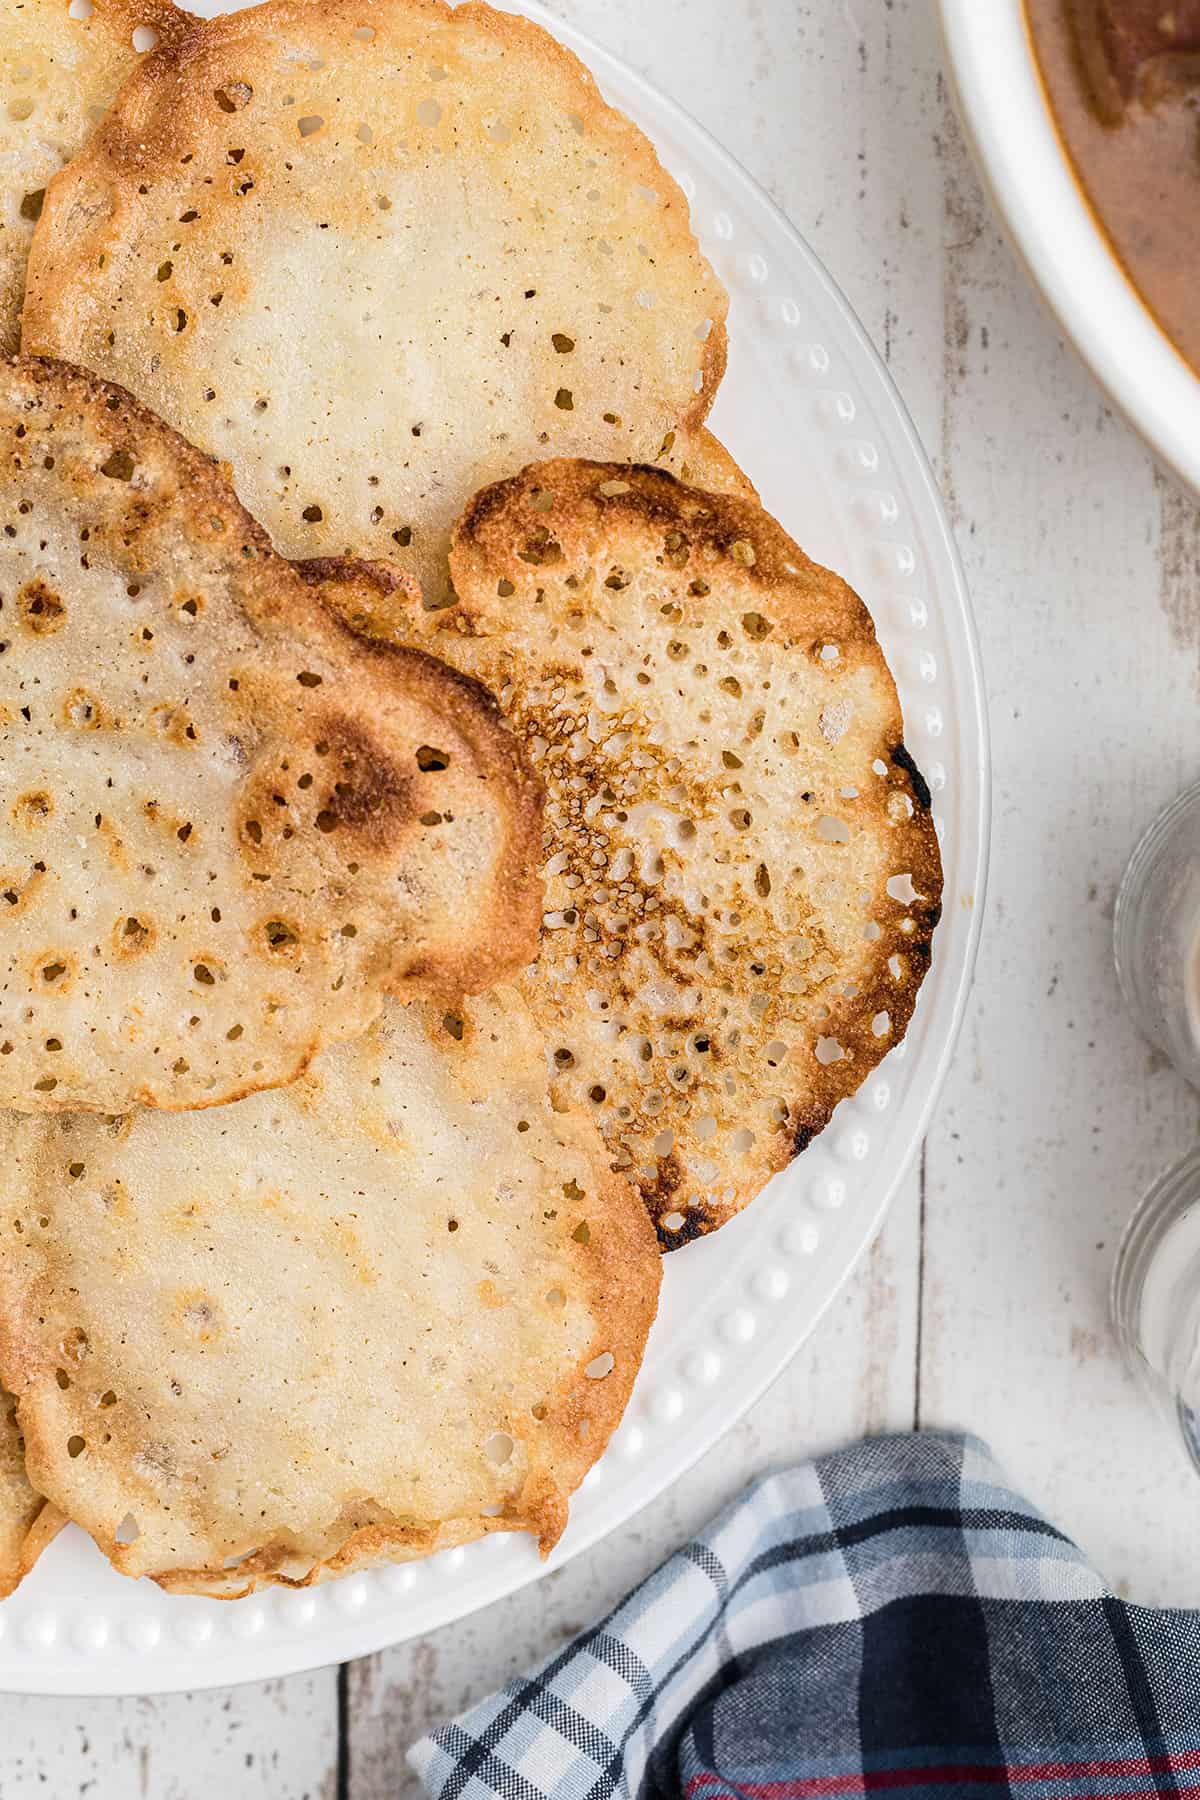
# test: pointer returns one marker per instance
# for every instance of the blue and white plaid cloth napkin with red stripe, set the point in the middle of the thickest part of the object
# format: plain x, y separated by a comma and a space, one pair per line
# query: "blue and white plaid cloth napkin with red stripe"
891, 1617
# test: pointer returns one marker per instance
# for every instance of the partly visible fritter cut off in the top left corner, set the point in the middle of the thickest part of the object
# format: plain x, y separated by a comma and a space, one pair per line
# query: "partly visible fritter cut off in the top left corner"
58, 73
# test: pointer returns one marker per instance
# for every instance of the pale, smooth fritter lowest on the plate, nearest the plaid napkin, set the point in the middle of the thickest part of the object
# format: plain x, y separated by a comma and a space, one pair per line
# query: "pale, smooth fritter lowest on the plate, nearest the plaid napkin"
384, 1311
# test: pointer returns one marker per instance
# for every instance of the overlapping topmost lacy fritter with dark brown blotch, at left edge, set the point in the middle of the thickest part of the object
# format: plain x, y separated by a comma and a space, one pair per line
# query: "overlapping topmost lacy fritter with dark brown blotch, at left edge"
228, 825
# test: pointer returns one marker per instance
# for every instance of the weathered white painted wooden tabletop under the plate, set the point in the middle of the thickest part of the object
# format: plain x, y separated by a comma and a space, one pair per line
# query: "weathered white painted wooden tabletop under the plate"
985, 1300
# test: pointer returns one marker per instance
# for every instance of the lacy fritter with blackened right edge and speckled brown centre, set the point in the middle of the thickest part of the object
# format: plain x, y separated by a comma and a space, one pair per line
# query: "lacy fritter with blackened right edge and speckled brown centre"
742, 867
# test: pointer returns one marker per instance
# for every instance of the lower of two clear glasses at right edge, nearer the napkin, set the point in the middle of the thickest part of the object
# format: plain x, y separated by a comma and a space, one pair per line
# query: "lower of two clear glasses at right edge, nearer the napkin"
1156, 1299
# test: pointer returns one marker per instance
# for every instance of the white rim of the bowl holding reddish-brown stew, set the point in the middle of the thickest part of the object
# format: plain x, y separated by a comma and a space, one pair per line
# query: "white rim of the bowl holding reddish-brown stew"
1037, 195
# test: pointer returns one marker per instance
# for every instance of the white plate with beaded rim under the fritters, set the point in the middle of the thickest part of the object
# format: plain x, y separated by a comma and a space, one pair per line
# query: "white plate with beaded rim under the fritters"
812, 415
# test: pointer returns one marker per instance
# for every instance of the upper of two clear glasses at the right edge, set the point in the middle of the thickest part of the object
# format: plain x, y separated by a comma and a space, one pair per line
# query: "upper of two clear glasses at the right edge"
1158, 933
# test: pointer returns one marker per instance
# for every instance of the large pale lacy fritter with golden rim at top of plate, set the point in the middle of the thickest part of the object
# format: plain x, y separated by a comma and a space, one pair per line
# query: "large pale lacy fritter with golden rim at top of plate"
373, 256
